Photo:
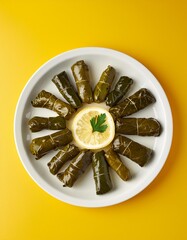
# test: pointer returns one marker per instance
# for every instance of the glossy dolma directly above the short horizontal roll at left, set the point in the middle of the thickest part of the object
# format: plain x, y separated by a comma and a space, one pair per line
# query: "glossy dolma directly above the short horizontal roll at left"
49, 101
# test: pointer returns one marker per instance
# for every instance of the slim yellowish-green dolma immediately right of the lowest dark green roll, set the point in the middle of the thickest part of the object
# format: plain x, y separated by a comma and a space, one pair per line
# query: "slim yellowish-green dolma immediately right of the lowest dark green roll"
117, 165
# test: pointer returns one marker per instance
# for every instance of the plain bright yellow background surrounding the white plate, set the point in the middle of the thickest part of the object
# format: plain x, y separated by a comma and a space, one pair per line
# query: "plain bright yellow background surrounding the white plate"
155, 33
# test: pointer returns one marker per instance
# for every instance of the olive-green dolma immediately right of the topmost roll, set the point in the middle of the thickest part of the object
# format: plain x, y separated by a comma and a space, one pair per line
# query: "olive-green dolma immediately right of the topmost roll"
103, 86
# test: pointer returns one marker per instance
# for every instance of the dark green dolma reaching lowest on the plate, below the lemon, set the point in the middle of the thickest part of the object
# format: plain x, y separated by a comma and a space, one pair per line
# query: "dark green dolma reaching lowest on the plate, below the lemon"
101, 173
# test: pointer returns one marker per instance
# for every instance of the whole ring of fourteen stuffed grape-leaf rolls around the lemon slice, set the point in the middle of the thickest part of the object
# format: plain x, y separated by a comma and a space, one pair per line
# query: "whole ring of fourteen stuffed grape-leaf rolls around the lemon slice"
101, 160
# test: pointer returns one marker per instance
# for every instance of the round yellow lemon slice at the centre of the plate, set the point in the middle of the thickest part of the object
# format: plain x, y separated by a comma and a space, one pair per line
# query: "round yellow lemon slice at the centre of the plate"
83, 133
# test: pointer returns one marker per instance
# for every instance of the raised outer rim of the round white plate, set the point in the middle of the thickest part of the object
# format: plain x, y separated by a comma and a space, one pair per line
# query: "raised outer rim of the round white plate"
18, 133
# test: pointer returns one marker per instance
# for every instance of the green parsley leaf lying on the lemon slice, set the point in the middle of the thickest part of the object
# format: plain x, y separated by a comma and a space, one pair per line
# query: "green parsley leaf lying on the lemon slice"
97, 123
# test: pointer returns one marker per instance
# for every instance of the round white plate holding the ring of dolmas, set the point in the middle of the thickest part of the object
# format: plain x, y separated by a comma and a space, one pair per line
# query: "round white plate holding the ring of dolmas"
83, 192
